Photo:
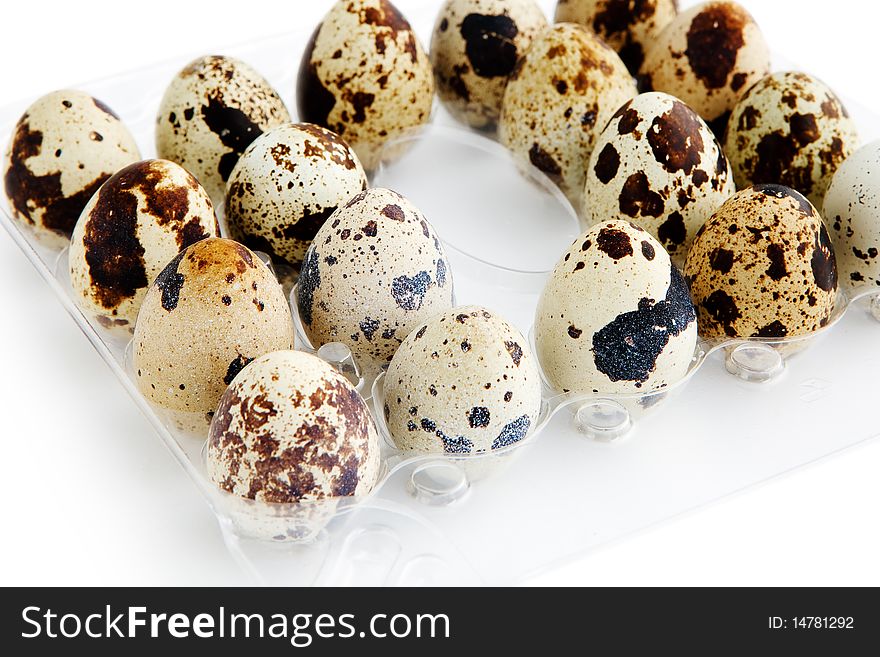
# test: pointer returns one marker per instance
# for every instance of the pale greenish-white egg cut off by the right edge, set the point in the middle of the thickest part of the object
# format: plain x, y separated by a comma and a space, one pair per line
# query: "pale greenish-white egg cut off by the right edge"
852, 213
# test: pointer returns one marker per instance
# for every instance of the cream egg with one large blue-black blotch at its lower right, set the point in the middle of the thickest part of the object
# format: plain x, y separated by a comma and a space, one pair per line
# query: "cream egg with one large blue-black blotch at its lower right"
615, 316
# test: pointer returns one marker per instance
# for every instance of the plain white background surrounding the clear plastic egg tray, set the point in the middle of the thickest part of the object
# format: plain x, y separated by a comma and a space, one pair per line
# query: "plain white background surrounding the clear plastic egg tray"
89, 494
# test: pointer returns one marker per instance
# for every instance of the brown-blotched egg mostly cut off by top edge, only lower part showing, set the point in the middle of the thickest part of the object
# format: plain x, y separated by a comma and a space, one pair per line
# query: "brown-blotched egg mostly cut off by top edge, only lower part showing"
628, 26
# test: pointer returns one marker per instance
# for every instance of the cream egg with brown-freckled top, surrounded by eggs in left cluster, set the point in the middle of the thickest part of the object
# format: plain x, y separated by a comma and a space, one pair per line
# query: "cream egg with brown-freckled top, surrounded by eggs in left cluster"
286, 185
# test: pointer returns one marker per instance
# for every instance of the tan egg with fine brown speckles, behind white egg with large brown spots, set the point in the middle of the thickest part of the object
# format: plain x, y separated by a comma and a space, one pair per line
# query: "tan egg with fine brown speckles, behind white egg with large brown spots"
558, 100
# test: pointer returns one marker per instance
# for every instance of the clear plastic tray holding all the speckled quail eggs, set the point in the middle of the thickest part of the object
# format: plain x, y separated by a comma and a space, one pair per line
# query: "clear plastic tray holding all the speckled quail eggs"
594, 469
